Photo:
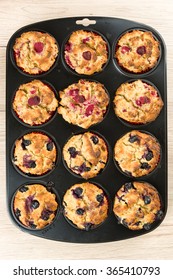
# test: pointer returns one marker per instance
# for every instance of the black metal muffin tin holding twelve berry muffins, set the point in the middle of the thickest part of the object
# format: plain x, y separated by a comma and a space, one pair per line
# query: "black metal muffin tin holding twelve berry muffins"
60, 76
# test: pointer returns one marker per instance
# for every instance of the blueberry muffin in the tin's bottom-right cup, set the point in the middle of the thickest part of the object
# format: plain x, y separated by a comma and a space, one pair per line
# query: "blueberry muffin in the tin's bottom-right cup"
137, 205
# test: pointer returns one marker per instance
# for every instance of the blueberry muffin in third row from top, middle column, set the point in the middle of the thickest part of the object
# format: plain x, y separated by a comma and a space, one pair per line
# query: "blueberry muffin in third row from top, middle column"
86, 154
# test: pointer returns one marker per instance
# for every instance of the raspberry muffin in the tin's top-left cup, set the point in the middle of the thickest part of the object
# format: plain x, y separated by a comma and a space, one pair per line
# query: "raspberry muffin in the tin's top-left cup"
35, 52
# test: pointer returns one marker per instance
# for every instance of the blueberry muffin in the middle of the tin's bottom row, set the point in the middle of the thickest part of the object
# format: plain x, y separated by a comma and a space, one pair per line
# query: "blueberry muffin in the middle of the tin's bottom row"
85, 205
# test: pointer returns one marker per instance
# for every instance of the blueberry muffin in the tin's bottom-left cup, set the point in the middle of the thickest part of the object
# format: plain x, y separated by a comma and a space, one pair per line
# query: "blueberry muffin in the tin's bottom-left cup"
34, 206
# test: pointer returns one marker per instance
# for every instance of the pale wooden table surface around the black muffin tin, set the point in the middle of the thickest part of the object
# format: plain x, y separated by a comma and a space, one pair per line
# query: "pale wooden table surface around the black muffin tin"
15, 244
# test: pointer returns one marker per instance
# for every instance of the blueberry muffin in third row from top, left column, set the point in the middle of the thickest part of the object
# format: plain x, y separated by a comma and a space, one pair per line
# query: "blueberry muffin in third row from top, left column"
35, 153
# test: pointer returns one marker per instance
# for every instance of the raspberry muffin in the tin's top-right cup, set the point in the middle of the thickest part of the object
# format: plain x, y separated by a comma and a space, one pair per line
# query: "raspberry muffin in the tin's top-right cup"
137, 51
